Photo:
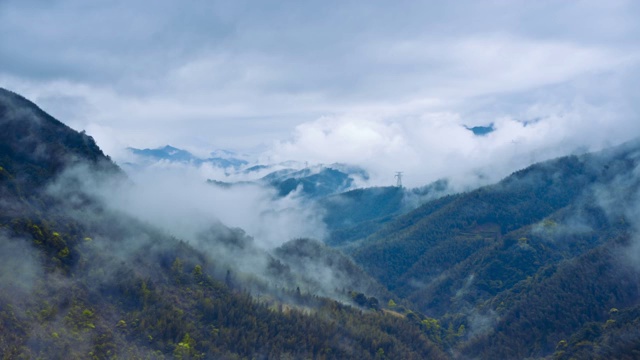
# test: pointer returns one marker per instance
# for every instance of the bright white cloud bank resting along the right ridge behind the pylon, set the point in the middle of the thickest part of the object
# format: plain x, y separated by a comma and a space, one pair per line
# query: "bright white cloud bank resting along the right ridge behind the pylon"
436, 145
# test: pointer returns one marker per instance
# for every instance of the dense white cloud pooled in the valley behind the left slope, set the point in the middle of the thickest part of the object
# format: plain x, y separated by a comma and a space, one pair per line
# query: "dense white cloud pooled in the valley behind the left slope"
176, 198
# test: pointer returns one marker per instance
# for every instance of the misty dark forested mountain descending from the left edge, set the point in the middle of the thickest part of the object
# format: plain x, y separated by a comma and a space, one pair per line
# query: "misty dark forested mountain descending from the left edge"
80, 279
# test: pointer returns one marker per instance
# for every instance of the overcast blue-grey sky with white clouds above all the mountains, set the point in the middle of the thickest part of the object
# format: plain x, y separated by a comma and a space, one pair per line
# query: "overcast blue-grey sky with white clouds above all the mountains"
385, 84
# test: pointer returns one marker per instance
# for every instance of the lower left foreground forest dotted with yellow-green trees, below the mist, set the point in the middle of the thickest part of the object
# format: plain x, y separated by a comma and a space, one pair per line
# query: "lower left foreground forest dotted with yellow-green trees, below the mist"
188, 314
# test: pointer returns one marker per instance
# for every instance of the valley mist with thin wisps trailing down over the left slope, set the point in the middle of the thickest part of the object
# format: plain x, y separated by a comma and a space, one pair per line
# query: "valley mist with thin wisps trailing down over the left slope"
246, 229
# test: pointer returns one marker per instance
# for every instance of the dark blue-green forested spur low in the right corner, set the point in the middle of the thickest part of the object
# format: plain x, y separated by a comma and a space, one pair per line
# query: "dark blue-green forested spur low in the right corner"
552, 306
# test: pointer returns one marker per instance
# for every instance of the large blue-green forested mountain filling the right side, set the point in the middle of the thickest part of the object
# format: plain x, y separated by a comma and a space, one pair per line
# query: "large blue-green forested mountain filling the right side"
532, 266
